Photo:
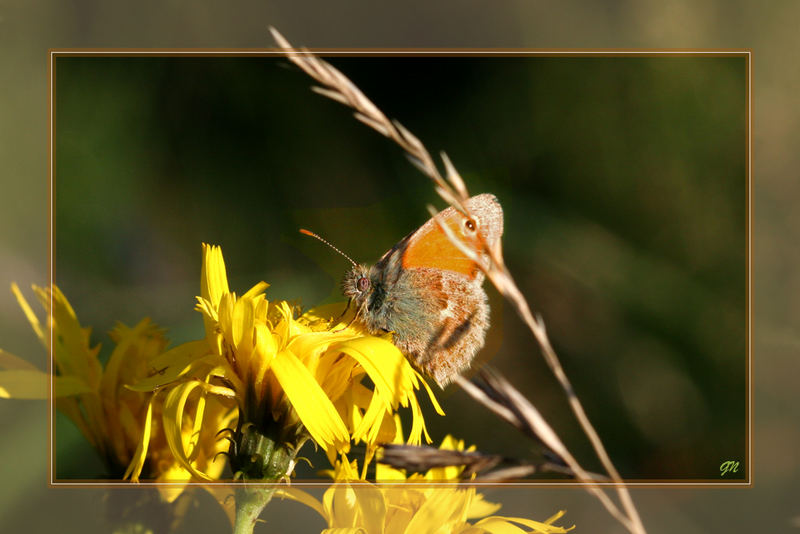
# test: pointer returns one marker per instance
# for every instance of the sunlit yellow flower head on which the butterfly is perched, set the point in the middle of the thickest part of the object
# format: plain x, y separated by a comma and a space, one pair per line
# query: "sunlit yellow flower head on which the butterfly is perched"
293, 378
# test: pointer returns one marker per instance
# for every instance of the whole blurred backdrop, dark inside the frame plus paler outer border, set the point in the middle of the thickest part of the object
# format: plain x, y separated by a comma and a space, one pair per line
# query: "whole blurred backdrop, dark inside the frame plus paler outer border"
622, 182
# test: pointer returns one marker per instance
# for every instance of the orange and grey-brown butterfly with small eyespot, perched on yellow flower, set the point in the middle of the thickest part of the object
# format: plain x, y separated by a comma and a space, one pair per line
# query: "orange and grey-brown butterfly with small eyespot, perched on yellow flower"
429, 293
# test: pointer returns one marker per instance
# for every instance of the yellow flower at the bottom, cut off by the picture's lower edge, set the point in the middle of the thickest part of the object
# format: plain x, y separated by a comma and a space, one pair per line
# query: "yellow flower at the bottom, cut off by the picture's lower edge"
352, 505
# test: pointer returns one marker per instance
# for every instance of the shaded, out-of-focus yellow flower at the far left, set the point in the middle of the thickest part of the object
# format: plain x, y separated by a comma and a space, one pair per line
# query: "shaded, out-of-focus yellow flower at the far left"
112, 417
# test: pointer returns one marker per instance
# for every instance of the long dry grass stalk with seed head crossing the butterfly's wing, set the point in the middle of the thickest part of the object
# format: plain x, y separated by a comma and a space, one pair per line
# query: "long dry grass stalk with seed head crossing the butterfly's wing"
454, 192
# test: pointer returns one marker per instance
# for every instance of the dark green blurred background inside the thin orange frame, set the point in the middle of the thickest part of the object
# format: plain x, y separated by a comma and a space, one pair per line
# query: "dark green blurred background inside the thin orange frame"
623, 182
